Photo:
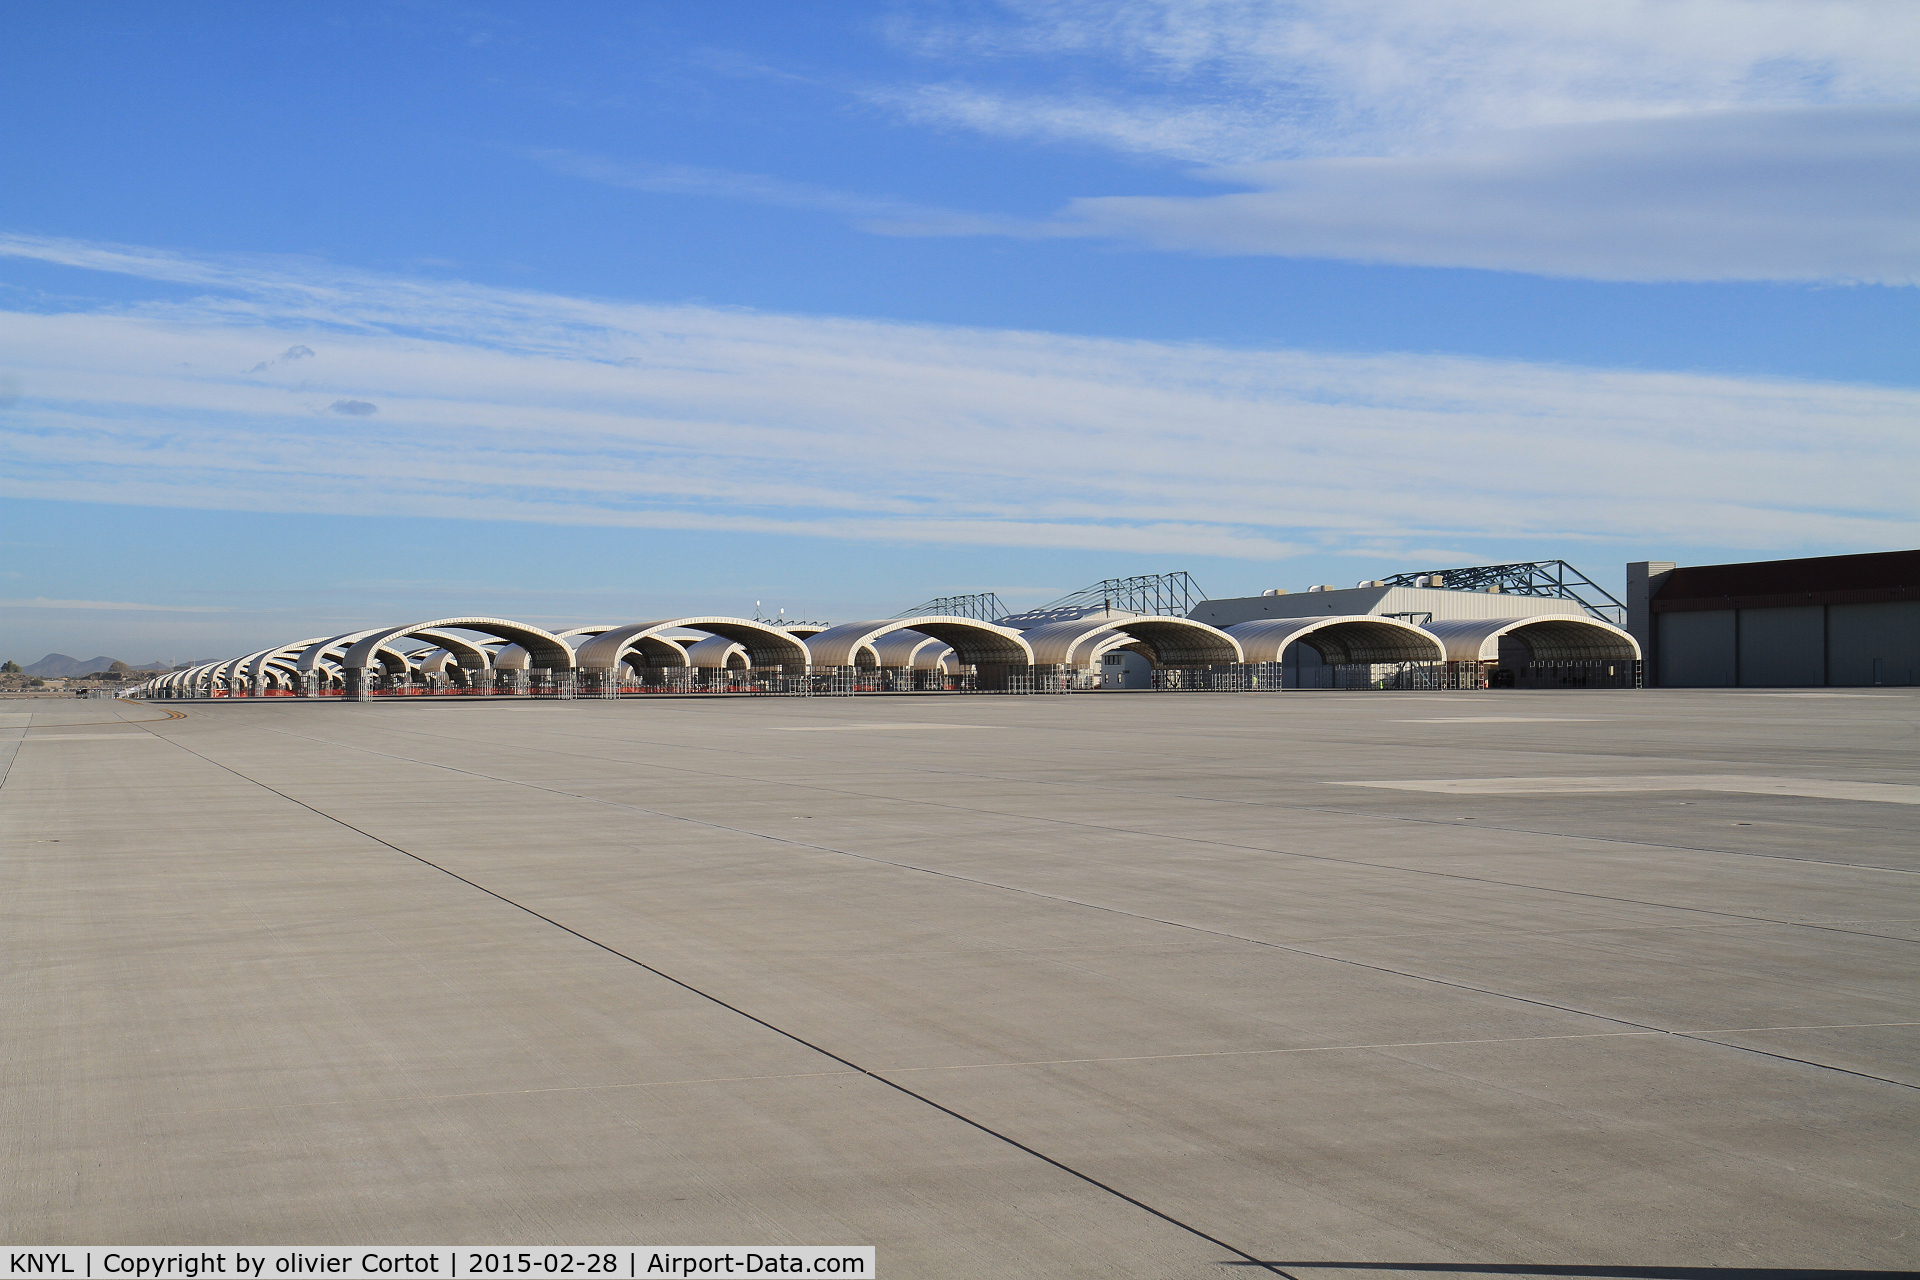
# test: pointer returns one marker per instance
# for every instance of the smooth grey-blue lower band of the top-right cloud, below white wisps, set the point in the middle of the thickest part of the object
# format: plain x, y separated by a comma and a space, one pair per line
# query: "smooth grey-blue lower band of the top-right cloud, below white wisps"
1812, 195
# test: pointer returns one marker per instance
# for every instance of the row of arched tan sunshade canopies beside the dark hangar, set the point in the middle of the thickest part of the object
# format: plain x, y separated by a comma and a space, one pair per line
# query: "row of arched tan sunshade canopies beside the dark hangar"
454, 648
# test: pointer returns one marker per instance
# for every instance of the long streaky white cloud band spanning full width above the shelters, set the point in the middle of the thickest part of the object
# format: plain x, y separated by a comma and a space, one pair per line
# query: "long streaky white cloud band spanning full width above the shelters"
506, 406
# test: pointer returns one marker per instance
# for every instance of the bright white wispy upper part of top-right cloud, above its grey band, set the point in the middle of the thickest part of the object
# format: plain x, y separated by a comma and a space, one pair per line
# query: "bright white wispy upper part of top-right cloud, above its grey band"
1264, 80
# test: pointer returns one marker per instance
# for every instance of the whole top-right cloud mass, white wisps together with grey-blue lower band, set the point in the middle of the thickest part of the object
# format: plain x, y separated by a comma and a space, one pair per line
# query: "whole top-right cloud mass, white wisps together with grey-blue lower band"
1641, 141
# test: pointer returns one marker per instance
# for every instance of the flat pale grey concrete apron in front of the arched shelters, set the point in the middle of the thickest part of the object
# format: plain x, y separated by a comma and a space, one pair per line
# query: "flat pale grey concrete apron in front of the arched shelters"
1095, 1007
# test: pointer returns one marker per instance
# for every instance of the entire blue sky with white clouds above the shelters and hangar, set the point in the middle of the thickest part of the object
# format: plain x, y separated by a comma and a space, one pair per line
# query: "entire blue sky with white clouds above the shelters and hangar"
366, 314
